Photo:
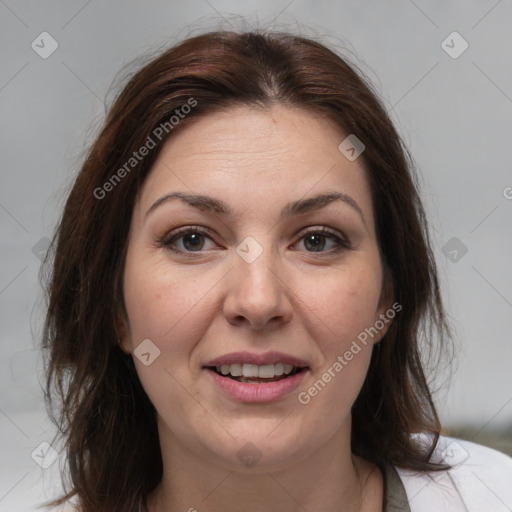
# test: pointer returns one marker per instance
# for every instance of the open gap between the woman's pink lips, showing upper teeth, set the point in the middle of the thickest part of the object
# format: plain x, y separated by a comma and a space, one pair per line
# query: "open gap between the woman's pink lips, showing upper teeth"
257, 374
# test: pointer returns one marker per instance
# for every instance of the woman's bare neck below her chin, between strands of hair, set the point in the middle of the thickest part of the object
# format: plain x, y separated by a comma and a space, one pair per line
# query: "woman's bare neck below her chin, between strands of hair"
321, 481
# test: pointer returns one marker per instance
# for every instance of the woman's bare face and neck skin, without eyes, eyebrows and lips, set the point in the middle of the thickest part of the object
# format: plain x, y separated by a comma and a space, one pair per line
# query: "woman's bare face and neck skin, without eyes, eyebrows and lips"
293, 299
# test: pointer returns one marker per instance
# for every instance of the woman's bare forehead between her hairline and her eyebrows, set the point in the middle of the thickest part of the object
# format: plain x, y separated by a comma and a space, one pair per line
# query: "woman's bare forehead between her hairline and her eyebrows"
241, 153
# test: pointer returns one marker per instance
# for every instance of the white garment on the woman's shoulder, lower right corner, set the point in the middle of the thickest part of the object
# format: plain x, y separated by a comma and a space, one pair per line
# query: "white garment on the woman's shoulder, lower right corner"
480, 479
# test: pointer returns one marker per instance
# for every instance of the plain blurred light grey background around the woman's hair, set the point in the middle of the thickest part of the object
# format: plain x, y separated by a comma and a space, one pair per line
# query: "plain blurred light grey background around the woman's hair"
454, 114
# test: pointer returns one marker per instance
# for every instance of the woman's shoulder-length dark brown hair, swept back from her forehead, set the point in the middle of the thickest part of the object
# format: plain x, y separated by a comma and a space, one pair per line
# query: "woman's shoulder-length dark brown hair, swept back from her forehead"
105, 417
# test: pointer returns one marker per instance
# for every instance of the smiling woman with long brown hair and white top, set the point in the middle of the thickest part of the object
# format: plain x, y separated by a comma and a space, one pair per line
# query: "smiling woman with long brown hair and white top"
242, 280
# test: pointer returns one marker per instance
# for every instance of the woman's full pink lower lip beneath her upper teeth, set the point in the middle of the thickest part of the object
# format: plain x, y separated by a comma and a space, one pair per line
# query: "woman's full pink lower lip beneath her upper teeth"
257, 392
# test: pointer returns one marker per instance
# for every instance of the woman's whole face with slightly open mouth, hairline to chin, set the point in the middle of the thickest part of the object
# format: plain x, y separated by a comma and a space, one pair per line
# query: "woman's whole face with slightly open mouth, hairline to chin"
258, 288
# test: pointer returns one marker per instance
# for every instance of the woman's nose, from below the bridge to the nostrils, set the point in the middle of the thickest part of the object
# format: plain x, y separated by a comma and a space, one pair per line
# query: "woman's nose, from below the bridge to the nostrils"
258, 297
